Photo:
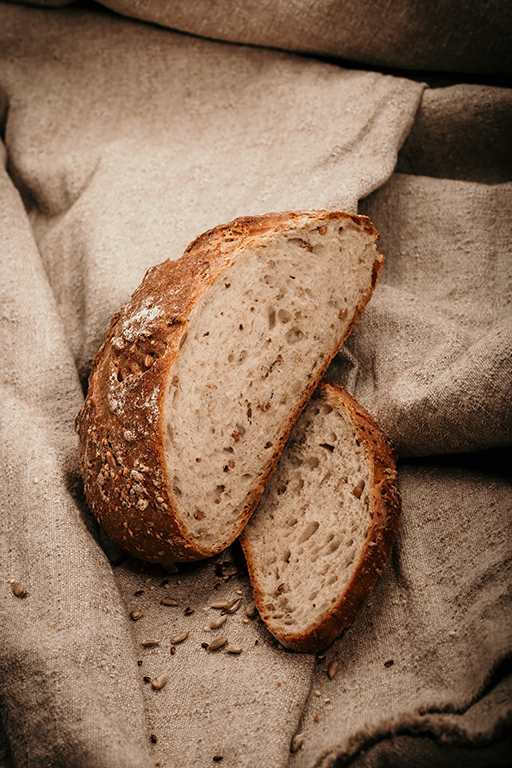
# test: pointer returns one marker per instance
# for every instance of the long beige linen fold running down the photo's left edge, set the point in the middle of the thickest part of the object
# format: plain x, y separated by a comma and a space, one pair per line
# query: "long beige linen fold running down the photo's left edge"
69, 689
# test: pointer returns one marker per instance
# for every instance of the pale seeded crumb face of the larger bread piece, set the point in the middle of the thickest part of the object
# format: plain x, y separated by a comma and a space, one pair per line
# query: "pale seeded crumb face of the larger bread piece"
261, 333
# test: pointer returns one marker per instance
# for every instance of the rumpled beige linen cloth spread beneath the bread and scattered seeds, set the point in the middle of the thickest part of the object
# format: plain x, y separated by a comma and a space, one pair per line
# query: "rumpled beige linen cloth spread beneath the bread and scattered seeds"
123, 142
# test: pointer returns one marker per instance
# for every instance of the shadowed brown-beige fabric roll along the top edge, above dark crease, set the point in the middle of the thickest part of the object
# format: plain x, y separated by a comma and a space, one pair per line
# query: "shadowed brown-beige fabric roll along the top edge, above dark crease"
409, 34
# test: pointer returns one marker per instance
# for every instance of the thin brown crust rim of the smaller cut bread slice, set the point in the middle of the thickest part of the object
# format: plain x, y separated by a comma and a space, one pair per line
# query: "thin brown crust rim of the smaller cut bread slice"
385, 506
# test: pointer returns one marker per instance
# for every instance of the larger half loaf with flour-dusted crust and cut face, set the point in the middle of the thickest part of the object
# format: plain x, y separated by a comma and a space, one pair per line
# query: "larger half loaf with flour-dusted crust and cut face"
202, 375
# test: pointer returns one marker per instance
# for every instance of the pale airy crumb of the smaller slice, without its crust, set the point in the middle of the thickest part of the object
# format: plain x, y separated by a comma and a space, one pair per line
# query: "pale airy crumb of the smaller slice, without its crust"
308, 532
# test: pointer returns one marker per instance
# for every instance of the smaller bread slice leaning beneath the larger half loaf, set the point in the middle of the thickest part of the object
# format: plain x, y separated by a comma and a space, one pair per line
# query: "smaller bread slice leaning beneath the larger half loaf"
326, 523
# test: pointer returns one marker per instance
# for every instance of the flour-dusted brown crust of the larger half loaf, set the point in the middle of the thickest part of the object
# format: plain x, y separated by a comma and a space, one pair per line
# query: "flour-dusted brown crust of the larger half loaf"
121, 427
